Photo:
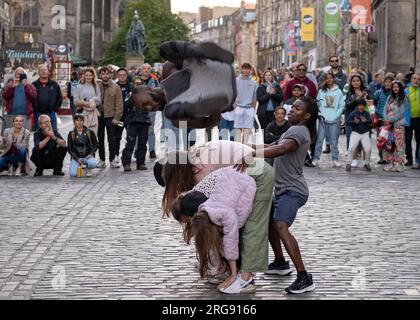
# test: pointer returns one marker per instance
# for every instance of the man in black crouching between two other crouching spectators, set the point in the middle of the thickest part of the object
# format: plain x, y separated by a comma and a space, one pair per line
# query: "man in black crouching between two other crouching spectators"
50, 148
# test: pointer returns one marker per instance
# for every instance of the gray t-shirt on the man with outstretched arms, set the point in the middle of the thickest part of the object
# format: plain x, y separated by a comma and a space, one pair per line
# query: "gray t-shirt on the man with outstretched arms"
289, 168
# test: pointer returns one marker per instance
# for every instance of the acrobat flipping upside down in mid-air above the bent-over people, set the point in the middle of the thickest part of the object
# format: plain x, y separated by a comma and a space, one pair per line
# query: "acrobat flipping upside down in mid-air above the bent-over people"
198, 84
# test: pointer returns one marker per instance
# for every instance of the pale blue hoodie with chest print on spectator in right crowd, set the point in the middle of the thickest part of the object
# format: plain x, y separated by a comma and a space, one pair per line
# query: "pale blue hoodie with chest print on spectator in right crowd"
333, 112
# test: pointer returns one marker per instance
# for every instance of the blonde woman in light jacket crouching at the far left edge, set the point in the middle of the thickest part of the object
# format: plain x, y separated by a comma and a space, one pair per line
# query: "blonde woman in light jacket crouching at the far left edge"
17, 141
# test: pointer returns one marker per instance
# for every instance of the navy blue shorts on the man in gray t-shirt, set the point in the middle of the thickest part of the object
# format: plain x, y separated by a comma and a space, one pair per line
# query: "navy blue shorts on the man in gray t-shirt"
286, 205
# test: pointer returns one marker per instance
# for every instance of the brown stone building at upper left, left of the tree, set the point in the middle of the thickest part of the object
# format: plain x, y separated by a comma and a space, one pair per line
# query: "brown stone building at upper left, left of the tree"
84, 25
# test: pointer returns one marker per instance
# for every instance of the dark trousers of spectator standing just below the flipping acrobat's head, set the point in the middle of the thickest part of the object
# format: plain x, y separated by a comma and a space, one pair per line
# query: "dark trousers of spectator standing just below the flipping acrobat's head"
139, 132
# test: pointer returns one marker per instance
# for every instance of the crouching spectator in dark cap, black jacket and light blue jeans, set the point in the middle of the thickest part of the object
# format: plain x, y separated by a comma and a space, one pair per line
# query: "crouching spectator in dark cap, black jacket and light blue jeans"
82, 144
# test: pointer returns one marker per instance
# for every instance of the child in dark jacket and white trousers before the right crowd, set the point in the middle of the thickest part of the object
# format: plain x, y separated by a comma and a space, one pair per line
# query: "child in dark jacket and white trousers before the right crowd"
359, 121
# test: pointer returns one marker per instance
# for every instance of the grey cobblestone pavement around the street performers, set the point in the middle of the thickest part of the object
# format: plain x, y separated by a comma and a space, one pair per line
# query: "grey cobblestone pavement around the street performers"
104, 238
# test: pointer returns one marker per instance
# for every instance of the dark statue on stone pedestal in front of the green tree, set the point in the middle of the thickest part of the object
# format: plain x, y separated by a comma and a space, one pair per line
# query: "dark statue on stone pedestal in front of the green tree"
135, 43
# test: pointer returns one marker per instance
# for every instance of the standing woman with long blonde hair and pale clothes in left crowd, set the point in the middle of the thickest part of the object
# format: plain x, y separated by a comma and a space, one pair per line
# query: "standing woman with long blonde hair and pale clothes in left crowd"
88, 99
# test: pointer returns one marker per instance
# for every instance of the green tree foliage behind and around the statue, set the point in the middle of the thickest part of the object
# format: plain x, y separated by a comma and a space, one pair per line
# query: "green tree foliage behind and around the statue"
160, 26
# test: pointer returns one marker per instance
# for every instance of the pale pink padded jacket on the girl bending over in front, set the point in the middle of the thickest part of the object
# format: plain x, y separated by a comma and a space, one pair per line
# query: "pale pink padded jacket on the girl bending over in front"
230, 205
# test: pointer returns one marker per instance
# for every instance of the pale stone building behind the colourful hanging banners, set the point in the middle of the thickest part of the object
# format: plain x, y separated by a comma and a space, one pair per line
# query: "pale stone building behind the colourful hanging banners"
274, 16
